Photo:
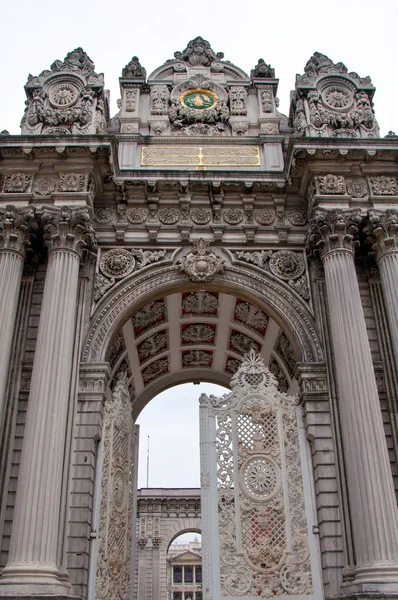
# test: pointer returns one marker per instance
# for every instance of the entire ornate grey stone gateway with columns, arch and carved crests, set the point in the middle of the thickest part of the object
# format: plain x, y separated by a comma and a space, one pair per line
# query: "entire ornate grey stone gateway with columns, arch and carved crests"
159, 246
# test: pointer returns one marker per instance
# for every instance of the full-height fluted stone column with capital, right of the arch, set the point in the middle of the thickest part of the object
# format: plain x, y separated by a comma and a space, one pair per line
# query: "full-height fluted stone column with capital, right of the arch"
369, 480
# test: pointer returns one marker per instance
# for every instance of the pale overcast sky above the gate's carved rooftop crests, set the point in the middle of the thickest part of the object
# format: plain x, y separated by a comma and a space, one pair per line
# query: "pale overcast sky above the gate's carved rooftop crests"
284, 33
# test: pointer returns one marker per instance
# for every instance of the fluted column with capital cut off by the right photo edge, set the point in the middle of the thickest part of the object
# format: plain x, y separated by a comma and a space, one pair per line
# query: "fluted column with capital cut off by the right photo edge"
383, 228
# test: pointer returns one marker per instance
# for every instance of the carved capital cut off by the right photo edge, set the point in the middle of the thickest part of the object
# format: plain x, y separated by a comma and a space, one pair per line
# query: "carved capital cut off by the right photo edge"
382, 230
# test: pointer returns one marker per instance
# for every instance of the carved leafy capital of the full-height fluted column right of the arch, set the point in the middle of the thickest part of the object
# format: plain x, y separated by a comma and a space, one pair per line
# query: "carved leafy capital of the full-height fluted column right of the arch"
331, 230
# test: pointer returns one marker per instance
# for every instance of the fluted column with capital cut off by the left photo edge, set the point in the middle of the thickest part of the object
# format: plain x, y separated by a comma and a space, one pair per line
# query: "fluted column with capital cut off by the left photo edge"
13, 241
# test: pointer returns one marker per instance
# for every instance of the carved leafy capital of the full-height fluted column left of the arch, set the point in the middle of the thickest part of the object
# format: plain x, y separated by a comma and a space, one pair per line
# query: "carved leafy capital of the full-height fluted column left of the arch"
68, 229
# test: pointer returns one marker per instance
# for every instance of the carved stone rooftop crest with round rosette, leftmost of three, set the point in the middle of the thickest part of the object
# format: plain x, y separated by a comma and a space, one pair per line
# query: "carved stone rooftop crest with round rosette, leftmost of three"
67, 99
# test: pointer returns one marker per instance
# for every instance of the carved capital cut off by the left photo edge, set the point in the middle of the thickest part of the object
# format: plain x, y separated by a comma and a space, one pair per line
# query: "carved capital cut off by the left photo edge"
14, 230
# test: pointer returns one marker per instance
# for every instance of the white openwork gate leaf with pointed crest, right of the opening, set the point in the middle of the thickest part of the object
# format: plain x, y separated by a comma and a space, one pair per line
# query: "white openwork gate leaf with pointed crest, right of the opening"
258, 485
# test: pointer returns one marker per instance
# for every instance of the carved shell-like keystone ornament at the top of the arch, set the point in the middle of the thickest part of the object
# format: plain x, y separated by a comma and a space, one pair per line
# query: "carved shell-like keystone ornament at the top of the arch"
201, 264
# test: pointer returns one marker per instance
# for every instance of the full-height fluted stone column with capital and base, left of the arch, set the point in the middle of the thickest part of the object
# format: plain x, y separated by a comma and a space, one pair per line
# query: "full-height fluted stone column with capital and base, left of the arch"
32, 565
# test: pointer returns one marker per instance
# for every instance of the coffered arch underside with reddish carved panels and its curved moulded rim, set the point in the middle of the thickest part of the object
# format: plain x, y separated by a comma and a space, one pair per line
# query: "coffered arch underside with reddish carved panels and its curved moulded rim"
163, 329
